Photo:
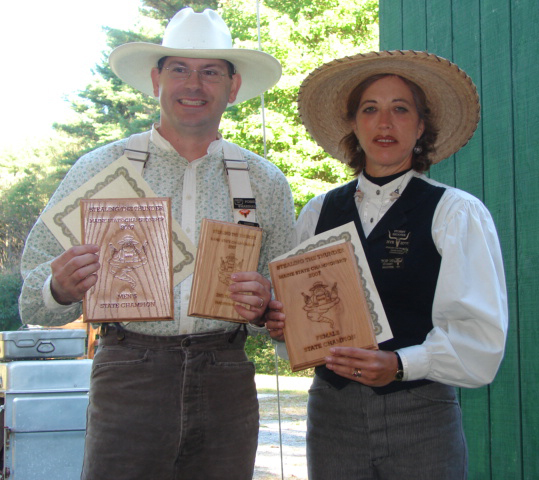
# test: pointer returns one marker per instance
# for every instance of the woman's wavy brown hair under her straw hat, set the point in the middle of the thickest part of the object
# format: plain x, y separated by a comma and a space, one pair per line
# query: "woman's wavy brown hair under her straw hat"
353, 151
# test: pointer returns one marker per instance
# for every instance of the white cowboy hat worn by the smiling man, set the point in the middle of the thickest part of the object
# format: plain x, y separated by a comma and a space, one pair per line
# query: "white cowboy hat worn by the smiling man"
196, 35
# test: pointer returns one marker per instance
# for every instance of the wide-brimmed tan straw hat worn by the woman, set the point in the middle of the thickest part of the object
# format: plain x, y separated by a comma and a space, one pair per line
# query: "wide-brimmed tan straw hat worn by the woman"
451, 96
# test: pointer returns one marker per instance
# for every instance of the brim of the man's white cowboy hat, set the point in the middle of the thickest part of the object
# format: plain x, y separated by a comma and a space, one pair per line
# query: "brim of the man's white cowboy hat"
133, 62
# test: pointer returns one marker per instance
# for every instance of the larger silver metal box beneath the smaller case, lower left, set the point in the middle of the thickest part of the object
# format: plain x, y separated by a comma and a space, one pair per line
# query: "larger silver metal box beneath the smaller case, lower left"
44, 418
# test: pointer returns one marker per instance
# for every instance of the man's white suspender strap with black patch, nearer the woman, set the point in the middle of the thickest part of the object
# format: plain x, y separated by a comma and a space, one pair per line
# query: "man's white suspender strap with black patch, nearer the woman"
239, 184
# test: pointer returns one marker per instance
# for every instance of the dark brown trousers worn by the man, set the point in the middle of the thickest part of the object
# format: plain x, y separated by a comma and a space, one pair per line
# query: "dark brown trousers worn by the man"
170, 408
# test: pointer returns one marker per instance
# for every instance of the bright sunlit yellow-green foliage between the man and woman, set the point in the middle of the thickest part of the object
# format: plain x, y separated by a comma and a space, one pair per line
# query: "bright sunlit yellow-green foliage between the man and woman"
302, 35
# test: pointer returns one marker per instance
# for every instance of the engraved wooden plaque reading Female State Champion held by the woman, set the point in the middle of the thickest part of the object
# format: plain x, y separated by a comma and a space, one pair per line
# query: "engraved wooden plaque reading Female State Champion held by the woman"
324, 303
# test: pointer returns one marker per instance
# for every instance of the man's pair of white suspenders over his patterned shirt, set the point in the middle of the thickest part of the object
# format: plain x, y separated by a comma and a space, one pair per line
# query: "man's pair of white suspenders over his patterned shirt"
236, 167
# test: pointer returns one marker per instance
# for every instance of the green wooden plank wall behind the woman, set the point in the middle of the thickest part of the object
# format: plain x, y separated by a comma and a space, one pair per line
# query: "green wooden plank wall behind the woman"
496, 43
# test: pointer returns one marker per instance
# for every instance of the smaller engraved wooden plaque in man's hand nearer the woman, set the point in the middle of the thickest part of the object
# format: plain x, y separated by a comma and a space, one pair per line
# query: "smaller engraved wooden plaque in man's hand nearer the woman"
223, 248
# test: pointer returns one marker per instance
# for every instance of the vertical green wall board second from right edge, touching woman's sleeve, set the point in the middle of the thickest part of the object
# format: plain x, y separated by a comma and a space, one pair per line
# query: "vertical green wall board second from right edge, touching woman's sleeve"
498, 128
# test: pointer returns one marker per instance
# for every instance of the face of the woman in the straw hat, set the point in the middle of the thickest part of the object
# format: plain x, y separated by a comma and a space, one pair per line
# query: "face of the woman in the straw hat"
387, 126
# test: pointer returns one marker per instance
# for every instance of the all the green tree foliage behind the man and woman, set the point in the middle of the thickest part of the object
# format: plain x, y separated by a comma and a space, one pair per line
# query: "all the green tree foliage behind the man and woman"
302, 34
